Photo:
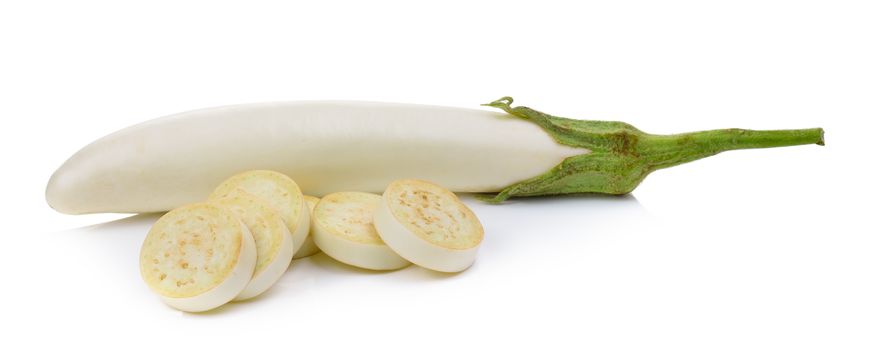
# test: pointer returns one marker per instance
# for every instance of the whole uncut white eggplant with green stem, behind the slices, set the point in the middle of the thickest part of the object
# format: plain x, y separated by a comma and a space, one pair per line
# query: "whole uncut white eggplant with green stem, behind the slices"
332, 146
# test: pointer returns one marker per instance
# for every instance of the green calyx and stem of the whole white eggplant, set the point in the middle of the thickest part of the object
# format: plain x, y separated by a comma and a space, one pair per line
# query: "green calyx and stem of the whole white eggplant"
621, 156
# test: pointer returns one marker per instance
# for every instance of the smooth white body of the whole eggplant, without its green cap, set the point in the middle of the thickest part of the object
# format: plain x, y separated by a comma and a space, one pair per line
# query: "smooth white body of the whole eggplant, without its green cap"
325, 146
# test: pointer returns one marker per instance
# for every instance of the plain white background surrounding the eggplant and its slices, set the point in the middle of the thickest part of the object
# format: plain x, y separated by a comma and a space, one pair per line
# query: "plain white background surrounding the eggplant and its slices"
761, 249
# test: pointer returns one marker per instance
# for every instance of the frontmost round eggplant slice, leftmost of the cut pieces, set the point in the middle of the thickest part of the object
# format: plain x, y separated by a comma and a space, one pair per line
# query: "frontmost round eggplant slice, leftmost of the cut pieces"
198, 257
